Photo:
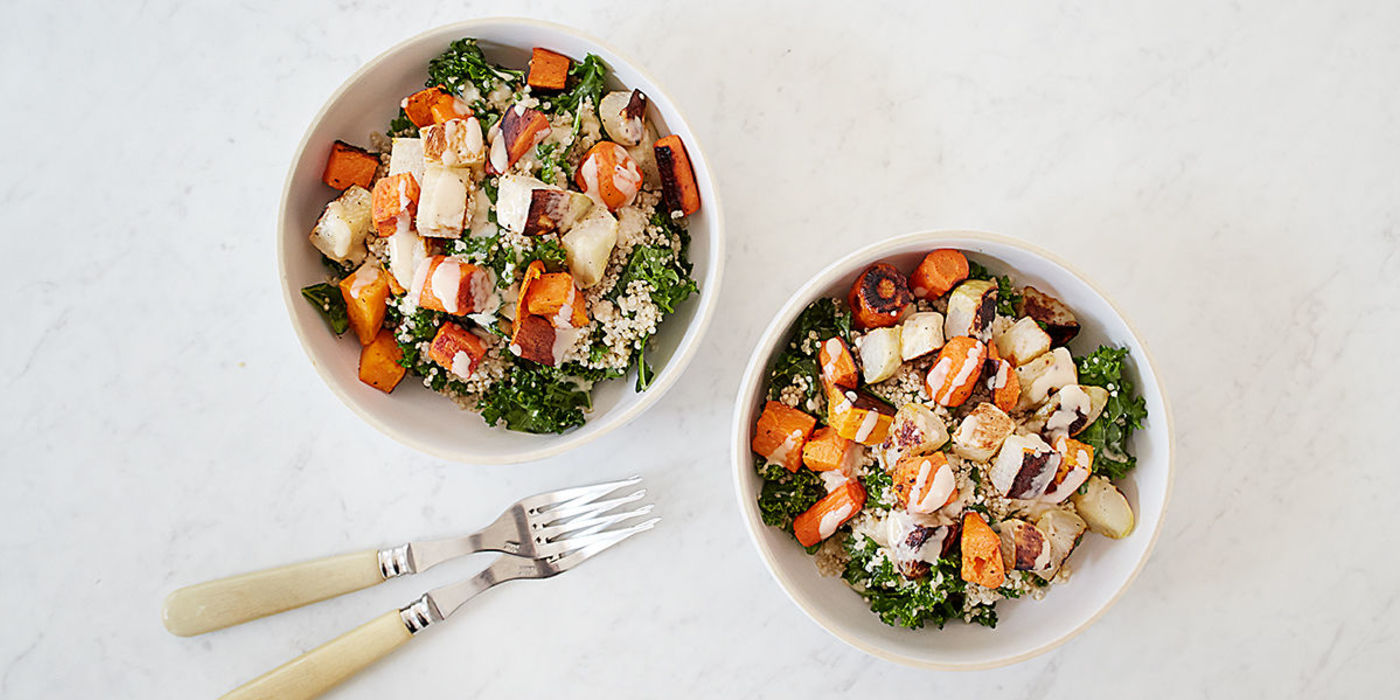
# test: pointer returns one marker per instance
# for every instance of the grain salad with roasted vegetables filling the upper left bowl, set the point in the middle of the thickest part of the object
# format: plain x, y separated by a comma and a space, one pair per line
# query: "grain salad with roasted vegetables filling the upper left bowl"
512, 240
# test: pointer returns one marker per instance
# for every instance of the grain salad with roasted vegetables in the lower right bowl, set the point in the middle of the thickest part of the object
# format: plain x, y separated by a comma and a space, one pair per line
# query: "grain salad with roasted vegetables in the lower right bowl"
934, 442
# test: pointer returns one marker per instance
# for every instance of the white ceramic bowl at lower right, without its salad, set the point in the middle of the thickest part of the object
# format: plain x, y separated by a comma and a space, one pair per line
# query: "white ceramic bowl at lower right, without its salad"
1102, 568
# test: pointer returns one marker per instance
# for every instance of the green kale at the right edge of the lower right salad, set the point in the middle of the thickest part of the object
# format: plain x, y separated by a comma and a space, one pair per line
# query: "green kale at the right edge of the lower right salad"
1123, 414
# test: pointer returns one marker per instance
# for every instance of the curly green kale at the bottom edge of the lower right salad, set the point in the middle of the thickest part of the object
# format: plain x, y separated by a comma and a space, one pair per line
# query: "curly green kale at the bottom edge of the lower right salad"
902, 603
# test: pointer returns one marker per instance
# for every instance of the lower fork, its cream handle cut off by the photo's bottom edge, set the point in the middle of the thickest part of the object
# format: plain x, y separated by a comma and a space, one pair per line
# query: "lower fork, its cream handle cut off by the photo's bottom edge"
332, 663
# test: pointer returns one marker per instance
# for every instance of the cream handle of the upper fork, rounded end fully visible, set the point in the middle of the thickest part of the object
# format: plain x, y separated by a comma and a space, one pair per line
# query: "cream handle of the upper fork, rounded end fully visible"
236, 600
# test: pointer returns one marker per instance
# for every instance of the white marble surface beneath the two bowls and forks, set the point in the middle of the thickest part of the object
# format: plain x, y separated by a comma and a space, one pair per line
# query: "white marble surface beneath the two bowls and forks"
1227, 171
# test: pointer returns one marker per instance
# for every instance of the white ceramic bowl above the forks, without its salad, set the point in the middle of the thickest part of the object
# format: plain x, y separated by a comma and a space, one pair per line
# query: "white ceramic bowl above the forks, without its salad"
414, 415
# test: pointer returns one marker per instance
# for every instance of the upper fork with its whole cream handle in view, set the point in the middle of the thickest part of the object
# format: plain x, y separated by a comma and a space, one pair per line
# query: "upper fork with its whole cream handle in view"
542, 527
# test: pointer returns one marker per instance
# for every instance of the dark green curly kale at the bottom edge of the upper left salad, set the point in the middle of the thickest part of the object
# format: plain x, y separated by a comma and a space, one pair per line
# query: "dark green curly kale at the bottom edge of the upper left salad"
537, 400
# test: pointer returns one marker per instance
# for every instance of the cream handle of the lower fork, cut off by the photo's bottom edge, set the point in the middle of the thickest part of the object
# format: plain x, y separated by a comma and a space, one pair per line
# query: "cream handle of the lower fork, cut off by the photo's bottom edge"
327, 666
